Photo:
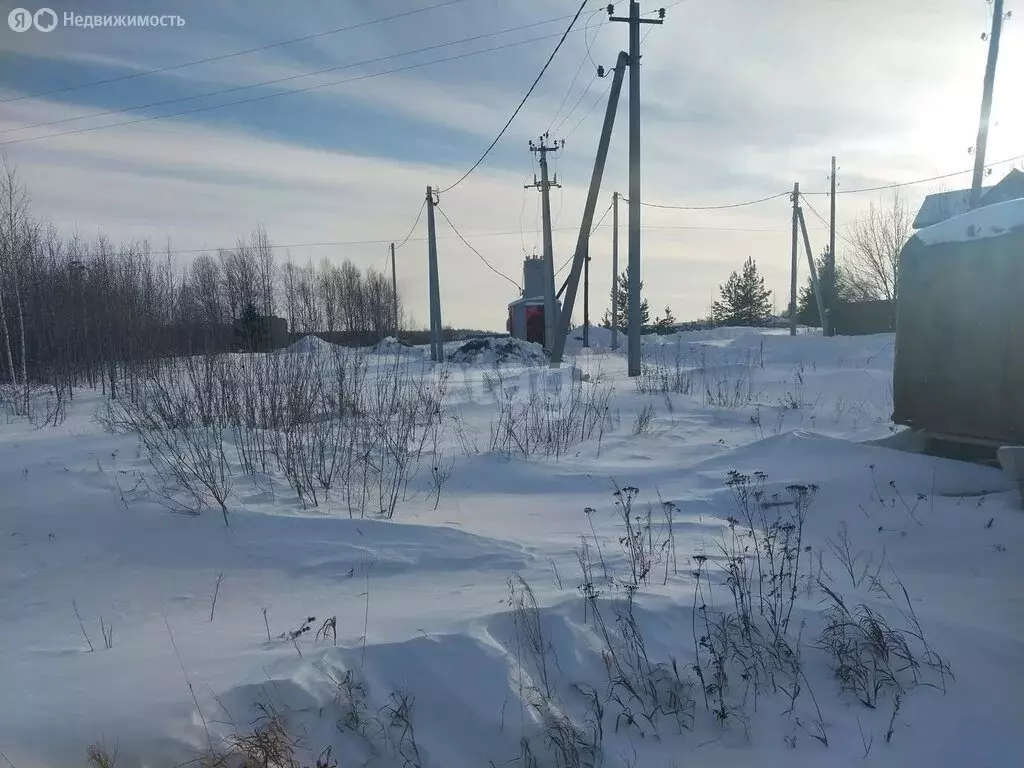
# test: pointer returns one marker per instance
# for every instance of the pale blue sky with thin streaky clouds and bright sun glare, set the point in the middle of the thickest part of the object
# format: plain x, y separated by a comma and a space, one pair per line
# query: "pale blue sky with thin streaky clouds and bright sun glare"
741, 99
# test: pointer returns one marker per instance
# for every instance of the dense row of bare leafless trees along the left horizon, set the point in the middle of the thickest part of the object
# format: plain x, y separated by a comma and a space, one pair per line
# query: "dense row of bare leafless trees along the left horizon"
82, 313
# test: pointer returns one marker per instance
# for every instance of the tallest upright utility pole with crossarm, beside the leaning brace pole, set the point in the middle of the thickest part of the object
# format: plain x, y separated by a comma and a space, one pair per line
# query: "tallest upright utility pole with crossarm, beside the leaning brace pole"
633, 316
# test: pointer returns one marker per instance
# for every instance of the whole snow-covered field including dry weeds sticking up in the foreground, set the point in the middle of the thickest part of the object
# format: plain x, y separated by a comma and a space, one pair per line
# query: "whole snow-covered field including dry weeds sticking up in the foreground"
773, 584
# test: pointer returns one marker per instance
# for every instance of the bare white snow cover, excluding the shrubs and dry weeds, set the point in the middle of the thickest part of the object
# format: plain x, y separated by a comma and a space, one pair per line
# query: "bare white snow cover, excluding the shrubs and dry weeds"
421, 603
